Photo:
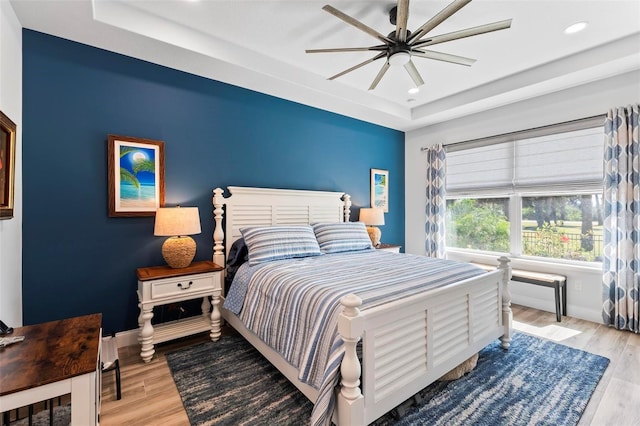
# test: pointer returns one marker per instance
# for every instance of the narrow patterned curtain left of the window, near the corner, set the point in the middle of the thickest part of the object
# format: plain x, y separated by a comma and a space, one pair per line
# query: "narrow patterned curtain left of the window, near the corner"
436, 203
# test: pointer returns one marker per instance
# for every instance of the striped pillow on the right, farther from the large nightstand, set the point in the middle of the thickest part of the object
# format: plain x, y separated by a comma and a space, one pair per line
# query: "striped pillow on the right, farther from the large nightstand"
342, 236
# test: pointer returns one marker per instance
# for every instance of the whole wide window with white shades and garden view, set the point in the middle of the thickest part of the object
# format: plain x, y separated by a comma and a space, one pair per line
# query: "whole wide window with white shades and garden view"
532, 194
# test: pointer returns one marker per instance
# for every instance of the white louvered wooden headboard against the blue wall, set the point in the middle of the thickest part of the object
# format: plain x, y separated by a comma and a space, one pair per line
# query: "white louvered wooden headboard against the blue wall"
267, 206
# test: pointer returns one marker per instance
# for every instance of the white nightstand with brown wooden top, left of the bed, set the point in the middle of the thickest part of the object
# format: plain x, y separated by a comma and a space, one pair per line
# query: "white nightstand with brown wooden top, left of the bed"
160, 285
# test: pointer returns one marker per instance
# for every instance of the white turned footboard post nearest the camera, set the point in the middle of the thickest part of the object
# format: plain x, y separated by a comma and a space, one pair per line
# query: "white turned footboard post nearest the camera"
350, 327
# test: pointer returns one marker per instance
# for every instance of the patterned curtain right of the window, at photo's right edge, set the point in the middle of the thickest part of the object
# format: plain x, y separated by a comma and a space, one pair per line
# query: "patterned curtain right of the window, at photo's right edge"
621, 264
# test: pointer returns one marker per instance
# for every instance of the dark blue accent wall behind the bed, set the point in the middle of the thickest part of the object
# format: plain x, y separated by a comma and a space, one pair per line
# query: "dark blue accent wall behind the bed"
77, 259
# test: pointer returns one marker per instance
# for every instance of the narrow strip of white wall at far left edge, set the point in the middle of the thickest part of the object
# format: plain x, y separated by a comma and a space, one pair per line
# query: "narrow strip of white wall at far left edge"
11, 105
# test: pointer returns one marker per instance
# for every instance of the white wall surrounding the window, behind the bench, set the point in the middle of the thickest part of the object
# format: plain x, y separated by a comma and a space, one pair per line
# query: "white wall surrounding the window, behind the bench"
596, 98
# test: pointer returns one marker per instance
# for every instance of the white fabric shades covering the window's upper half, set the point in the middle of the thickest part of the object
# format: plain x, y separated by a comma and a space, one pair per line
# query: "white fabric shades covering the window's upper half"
562, 161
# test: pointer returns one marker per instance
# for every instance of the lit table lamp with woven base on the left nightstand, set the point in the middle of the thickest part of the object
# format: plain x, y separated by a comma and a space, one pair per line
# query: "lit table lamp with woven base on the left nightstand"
177, 223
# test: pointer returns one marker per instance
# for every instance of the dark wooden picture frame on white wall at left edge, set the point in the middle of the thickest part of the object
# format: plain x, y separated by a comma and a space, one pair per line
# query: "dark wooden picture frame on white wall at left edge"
7, 166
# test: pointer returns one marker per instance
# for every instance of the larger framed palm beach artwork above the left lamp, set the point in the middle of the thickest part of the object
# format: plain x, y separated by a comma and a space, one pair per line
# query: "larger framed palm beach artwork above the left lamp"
136, 176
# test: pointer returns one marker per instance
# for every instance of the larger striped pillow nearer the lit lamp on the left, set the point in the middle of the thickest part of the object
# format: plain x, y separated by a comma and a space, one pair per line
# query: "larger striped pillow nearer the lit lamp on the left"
267, 243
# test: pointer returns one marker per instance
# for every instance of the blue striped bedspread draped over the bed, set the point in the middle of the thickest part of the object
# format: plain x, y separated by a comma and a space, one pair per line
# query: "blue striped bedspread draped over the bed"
293, 305
